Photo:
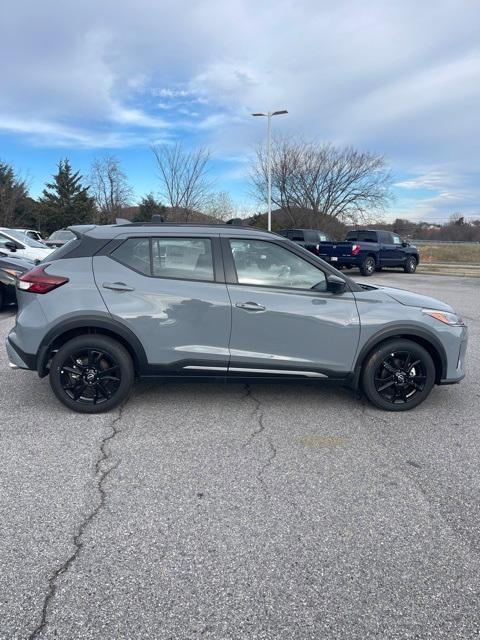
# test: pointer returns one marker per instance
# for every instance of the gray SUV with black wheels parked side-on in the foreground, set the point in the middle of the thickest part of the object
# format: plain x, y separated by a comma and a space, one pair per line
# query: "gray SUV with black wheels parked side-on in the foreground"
143, 300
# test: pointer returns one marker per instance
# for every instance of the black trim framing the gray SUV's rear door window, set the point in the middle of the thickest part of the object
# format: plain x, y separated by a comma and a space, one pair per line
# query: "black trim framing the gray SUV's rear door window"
217, 264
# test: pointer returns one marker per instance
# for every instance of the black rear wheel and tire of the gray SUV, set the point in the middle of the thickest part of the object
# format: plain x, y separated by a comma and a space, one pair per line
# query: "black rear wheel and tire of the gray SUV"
92, 374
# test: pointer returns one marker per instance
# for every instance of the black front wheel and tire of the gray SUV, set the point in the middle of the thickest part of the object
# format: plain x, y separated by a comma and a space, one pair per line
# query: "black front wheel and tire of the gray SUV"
398, 375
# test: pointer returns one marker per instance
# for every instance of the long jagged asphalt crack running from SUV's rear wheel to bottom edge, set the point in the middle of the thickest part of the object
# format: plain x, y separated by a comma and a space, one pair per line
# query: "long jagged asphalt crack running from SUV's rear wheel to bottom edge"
101, 476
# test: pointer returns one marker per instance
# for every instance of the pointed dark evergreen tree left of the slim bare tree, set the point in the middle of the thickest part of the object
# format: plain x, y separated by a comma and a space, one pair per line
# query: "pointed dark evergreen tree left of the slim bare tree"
65, 201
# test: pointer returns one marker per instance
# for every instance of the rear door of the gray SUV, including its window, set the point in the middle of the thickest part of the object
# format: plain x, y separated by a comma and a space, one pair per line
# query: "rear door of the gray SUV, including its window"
170, 291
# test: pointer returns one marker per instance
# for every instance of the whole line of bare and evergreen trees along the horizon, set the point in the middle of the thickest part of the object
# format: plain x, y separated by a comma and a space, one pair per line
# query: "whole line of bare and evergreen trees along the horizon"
313, 185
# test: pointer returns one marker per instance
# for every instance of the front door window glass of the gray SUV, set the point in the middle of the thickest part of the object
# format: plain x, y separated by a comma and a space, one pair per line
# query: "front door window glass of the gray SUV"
262, 263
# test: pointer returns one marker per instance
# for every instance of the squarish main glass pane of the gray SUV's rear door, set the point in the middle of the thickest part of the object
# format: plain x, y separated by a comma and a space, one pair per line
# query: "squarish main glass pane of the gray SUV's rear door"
185, 258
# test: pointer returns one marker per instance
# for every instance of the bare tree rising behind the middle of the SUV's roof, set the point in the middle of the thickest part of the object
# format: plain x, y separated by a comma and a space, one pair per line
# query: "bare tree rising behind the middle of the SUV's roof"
183, 176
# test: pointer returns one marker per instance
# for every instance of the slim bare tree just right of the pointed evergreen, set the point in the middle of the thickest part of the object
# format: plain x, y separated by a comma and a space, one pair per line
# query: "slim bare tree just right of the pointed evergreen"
110, 188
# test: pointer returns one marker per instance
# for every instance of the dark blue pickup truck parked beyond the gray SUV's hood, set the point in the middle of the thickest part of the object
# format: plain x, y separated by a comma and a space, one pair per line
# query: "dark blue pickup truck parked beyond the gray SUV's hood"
370, 251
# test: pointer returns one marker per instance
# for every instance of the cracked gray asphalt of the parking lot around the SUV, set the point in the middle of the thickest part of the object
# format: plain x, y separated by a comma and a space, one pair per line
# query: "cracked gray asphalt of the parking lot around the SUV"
226, 511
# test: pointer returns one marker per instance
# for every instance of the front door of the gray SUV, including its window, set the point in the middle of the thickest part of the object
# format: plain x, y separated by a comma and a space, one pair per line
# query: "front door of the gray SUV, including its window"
284, 320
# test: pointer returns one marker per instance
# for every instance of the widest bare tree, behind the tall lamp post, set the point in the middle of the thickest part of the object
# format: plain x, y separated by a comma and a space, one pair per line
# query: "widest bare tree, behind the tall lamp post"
341, 183
